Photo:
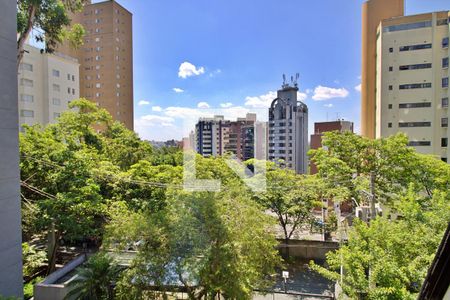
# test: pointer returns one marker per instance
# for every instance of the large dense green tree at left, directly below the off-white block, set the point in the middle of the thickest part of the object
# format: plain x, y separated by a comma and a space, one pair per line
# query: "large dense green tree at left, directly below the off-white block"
69, 172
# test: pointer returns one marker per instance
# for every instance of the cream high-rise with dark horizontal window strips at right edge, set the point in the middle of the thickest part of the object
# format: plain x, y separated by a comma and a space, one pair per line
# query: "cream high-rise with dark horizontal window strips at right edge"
412, 77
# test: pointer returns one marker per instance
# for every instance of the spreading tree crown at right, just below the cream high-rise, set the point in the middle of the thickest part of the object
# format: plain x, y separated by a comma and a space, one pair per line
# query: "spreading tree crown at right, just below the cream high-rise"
348, 161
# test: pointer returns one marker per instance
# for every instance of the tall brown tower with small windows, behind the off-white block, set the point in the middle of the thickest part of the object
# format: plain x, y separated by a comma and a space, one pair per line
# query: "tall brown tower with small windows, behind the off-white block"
106, 58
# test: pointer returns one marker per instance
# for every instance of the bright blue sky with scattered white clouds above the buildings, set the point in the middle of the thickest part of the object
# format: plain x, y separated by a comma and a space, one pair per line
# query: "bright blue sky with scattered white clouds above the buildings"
236, 52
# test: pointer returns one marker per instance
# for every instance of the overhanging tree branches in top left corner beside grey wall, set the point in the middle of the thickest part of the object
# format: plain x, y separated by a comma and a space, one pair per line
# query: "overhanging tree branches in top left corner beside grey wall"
50, 18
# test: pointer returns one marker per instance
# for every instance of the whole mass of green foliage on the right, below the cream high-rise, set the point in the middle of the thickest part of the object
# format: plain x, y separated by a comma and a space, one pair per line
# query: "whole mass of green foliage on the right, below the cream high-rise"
388, 258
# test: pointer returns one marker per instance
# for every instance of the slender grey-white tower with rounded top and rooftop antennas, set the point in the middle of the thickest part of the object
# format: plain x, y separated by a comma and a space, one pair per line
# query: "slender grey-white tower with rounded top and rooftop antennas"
288, 129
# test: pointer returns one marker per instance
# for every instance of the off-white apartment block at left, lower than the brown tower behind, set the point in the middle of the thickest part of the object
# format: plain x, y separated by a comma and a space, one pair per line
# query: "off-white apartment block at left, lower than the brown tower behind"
46, 85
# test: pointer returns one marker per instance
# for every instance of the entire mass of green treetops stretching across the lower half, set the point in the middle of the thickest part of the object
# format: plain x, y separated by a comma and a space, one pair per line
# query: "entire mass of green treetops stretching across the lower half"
94, 181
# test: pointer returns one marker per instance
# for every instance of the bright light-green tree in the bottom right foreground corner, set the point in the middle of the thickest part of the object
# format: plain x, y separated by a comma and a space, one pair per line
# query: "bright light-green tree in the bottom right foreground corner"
389, 259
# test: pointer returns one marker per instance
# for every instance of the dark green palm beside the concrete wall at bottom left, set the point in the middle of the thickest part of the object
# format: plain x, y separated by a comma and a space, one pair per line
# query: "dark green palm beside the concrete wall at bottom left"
93, 280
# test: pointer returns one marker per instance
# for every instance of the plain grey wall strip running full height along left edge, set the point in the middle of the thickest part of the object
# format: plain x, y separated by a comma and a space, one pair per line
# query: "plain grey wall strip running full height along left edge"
10, 227
